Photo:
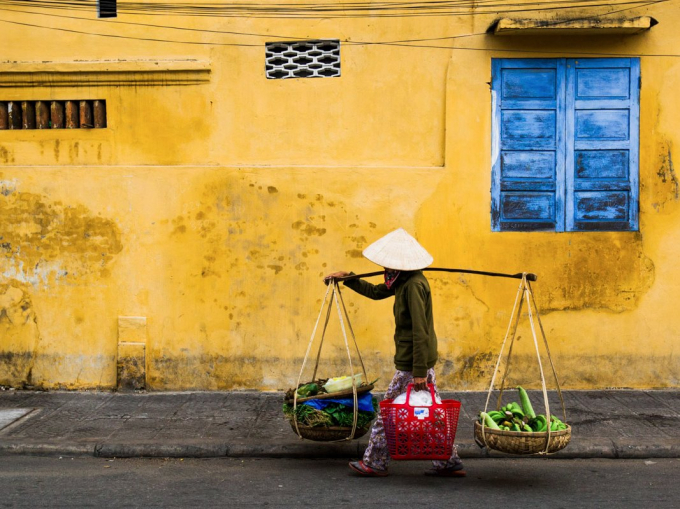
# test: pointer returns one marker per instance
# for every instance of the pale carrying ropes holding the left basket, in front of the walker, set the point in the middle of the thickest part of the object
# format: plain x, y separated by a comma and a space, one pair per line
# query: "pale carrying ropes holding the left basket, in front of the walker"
335, 298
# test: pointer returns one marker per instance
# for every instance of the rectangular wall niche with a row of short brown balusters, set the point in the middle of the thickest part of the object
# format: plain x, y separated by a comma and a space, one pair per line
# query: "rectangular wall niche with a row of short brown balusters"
53, 114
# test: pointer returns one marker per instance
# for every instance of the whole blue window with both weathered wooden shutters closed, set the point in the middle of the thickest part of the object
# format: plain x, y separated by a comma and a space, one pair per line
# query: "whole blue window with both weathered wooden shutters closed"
565, 144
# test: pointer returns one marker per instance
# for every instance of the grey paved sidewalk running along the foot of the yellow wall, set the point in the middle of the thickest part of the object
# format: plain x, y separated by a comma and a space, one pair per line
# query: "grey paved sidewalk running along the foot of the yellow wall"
606, 424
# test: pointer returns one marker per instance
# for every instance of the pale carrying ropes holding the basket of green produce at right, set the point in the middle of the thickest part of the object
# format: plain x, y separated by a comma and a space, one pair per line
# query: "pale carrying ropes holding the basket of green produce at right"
524, 292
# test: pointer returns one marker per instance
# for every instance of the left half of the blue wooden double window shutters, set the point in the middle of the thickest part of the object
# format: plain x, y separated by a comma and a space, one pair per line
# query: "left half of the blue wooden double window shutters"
528, 144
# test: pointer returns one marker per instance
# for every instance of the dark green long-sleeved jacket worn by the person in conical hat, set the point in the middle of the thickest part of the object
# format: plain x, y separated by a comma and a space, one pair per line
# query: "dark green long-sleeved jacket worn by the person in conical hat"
414, 336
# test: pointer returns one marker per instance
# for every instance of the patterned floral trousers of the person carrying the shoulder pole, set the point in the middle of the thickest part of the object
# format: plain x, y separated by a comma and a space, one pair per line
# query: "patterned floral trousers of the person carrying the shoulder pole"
377, 455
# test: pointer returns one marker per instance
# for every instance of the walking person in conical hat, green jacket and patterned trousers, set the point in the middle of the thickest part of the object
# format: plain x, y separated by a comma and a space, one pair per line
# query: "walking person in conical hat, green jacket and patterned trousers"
403, 259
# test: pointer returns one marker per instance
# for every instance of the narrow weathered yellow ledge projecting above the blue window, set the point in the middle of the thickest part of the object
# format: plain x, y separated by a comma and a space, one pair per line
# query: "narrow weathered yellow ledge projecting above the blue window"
626, 26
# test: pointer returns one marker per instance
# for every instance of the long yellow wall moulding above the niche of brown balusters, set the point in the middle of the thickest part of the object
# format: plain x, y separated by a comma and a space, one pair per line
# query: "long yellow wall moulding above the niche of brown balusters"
104, 73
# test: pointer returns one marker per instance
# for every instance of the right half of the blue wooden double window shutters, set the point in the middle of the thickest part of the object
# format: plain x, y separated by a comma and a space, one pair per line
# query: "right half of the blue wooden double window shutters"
602, 137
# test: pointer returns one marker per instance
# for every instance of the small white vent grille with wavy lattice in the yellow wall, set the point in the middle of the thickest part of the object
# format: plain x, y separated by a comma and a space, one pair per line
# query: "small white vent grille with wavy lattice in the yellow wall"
303, 59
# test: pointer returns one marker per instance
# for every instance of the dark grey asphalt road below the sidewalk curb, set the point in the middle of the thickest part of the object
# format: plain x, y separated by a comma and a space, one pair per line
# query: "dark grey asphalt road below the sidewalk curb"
229, 482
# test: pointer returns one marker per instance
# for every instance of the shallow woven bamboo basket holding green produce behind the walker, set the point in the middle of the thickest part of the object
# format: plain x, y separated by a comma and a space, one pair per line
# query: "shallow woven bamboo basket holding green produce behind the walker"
521, 442
